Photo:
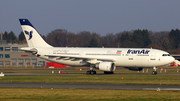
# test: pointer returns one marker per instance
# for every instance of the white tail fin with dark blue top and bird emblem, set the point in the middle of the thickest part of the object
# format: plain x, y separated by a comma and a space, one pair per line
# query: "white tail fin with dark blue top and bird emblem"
32, 36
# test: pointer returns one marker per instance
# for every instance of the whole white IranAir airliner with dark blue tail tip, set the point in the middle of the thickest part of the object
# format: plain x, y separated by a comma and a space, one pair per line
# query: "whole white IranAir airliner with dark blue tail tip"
105, 59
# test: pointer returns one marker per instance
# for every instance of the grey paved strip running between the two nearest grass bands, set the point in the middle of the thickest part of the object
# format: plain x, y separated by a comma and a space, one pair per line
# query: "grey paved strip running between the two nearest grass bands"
87, 86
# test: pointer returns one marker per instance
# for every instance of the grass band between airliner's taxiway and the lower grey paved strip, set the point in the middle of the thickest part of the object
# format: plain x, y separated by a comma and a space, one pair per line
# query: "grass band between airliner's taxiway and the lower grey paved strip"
127, 79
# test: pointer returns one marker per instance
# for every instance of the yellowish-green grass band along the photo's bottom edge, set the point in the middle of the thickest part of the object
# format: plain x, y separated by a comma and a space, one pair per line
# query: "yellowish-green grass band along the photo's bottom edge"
86, 95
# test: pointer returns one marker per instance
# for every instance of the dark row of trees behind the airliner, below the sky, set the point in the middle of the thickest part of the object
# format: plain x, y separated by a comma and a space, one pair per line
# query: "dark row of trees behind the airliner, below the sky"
164, 40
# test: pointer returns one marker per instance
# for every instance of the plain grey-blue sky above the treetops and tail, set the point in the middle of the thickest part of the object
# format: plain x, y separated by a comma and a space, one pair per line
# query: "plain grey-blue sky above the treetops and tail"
100, 16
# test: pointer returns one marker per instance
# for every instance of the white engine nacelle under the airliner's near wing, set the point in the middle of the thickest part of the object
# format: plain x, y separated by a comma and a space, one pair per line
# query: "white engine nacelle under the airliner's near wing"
106, 66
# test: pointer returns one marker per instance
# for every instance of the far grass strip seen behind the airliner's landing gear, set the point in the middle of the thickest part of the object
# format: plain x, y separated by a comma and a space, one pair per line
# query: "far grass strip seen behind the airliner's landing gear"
167, 70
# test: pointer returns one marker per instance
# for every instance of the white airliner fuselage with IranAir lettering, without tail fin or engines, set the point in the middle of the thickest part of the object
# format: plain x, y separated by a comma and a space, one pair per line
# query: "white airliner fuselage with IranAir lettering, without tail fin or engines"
125, 57
